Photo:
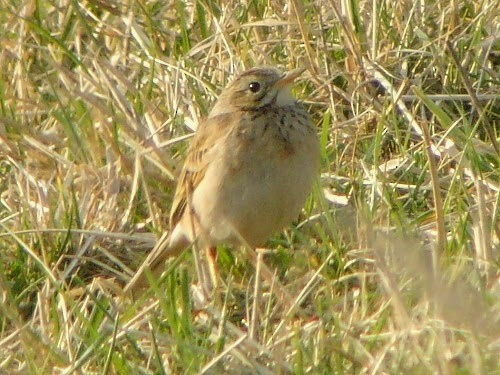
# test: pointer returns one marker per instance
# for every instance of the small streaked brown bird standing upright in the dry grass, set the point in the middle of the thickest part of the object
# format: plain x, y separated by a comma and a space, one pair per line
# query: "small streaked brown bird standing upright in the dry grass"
248, 171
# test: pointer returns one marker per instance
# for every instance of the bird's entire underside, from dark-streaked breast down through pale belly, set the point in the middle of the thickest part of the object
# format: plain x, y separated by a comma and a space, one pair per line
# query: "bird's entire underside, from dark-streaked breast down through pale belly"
261, 178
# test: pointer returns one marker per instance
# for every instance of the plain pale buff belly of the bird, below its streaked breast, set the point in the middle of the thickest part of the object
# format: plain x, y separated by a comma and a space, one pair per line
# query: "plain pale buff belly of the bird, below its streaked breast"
255, 198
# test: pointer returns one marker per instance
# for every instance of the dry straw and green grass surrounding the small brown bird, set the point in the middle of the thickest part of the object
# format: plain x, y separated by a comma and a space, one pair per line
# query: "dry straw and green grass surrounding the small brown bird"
393, 266
